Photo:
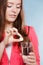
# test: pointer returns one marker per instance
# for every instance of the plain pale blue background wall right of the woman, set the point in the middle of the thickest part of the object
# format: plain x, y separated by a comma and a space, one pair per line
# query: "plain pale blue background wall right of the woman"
33, 10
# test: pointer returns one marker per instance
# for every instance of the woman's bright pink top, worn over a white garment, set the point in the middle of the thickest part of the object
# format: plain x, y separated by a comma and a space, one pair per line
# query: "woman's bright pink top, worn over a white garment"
16, 58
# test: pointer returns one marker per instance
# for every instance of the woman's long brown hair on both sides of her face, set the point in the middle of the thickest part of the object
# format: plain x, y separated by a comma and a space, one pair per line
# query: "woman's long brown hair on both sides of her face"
18, 22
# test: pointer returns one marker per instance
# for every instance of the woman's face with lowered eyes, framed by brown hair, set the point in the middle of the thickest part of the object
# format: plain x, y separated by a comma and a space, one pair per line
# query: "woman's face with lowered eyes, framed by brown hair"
12, 10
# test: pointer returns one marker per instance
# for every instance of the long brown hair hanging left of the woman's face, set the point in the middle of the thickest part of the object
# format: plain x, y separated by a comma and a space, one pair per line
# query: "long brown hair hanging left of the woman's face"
2, 16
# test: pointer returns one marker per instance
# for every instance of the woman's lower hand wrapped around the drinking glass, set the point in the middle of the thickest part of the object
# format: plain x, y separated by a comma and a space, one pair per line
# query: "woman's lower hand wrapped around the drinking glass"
30, 59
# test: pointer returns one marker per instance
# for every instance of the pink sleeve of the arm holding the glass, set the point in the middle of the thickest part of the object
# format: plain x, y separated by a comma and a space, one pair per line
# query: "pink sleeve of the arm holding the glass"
33, 37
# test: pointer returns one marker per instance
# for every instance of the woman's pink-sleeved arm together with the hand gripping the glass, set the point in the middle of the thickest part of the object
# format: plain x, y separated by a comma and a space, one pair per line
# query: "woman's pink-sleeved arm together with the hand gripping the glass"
33, 57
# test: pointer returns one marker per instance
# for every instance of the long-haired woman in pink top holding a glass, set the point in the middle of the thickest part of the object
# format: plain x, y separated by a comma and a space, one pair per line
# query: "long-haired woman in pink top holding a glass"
12, 32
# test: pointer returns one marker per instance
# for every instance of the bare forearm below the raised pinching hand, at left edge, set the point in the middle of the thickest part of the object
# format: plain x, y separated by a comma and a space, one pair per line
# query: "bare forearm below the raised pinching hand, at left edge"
3, 44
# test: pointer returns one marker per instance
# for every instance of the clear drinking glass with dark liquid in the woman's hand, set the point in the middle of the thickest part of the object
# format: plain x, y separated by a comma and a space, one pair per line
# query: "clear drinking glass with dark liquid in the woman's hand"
26, 47
